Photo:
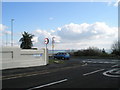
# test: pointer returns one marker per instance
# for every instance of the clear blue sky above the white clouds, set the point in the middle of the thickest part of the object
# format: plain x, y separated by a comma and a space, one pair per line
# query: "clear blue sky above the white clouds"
36, 15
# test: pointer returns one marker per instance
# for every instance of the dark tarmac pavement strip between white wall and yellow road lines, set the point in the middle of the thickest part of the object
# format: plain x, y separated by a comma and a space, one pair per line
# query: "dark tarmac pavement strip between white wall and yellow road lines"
49, 67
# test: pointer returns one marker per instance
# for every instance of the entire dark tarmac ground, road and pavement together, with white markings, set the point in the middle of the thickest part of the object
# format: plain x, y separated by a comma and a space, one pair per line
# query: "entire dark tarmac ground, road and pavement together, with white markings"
73, 73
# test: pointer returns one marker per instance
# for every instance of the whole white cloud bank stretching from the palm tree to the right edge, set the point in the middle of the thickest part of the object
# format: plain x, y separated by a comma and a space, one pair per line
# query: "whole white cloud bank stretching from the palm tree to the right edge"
78, 36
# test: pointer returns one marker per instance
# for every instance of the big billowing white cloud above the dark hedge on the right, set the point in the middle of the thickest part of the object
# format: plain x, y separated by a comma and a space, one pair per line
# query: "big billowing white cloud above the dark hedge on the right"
98, 34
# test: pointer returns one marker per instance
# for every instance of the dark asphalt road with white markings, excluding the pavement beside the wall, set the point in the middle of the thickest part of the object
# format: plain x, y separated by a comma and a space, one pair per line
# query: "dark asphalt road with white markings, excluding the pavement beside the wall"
92, 74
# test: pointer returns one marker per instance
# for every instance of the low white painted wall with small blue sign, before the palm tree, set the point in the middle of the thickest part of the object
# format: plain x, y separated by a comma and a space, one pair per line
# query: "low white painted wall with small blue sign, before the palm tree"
14, 57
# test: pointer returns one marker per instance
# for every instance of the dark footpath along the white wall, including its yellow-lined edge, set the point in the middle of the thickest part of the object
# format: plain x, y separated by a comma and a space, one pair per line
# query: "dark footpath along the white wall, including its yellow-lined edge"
22, 72
